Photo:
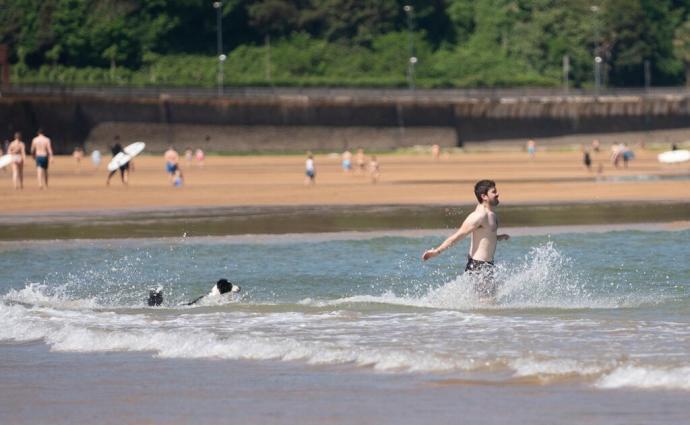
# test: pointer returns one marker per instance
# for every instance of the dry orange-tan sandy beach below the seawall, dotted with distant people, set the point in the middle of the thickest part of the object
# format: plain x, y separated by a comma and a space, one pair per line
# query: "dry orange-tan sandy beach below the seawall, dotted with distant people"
551, 177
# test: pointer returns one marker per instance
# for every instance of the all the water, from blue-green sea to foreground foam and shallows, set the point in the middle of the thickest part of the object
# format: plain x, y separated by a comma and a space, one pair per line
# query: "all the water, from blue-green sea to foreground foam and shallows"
353, 318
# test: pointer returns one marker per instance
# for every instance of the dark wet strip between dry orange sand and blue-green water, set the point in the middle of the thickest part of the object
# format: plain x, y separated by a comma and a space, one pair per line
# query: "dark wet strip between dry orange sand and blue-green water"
302, 219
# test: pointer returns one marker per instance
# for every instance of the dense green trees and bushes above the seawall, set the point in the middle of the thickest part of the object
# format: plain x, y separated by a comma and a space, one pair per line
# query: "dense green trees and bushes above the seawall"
457, 43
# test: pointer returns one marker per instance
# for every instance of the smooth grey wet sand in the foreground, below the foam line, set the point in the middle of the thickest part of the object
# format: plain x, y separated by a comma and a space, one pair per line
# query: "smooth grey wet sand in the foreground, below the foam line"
138, 389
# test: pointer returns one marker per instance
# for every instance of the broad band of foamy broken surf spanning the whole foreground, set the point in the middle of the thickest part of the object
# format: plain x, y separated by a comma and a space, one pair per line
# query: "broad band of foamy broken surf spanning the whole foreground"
428, 342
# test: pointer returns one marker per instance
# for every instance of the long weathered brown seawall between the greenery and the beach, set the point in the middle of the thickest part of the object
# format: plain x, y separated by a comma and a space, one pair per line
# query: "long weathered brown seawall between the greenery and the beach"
297, 123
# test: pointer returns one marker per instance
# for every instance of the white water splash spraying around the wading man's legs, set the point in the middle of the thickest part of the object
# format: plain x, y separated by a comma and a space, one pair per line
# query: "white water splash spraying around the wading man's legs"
543, 278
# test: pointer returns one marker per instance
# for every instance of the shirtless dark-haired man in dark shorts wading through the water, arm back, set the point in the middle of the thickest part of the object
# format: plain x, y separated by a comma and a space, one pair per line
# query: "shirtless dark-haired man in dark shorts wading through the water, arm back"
482, 225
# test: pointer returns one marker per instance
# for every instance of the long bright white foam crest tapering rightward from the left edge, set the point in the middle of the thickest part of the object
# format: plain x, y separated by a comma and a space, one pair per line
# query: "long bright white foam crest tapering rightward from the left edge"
102, 333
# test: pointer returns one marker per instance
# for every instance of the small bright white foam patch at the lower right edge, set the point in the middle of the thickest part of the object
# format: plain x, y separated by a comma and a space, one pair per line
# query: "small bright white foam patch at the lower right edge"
647, 378
